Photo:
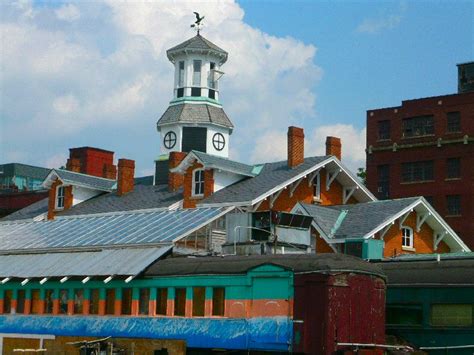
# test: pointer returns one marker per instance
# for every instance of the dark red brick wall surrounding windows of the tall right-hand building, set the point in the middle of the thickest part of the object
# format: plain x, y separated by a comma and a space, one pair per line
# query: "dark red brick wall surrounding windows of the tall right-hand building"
426, 148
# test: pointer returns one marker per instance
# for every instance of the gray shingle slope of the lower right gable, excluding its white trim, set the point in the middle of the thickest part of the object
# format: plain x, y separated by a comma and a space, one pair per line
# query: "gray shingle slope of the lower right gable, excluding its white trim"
360, 218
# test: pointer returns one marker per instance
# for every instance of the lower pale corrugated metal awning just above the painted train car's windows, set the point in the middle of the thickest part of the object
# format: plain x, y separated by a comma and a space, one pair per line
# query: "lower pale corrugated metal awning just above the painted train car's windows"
120, 262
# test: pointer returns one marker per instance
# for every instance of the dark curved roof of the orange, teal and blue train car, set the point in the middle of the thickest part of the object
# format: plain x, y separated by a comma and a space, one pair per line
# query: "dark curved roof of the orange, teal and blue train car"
323, 263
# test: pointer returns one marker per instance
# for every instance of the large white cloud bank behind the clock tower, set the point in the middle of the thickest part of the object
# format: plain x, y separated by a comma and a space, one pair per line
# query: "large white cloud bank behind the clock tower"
109, 71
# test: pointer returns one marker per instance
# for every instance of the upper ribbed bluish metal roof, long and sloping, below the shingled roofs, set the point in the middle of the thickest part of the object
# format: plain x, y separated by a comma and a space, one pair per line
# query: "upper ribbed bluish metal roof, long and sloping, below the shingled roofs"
144, 227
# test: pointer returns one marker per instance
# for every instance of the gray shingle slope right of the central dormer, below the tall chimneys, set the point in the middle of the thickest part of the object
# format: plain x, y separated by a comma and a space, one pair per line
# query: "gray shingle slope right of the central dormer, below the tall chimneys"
271, 176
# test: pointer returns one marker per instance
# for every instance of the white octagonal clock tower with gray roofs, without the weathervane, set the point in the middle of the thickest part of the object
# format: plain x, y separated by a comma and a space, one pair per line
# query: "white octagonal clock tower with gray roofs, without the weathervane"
195, 119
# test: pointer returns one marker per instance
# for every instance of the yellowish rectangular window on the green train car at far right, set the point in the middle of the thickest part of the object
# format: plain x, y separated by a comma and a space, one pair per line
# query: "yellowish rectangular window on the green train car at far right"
452, 315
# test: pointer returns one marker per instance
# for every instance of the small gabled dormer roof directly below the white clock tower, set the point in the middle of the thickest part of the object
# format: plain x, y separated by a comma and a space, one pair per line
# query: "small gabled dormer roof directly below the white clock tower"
215, 162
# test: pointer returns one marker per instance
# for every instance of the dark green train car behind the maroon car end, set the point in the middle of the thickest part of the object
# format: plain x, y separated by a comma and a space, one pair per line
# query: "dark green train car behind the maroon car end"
430, 302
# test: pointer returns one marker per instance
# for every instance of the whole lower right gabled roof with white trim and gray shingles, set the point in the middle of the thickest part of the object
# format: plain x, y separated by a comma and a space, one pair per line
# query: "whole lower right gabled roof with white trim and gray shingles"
364, 220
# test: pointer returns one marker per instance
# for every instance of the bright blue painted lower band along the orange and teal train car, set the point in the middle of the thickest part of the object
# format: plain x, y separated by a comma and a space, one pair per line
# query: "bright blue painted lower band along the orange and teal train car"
257, 333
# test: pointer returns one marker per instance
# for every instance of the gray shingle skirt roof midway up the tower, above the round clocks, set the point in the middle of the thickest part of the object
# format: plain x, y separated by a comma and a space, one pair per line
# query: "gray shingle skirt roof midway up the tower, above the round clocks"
195, 113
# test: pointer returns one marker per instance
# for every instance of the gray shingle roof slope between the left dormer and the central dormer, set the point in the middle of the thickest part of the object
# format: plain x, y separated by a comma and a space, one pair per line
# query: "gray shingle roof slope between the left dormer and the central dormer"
142, 197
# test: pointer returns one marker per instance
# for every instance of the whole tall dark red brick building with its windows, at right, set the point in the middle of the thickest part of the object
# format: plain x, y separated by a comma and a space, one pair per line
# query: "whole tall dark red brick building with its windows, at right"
425, 147
